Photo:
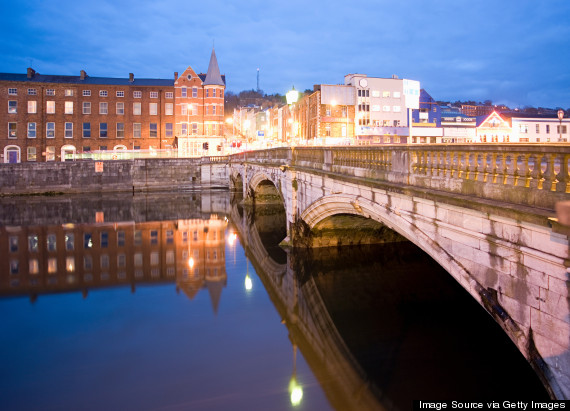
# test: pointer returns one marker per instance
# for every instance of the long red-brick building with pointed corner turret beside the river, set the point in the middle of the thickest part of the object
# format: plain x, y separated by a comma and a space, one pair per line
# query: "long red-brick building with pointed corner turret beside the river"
58, 118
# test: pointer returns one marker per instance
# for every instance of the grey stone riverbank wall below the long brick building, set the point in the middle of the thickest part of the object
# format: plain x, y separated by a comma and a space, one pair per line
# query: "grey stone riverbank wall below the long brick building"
138, 175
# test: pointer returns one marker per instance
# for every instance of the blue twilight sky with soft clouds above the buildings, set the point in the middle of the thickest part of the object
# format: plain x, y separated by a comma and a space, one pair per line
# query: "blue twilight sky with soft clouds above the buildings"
515, 52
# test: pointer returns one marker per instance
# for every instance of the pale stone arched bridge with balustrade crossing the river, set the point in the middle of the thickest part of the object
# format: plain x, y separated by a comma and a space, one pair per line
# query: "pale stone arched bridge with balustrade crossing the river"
485, 213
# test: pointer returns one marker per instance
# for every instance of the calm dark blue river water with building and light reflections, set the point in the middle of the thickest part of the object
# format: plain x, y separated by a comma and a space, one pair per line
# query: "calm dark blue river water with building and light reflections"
151, 303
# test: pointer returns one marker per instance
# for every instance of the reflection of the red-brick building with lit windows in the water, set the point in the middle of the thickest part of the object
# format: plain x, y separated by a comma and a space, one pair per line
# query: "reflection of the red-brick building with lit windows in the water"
70, 257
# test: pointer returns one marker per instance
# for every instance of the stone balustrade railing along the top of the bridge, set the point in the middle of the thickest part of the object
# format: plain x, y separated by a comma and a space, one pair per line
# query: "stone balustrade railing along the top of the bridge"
523, 174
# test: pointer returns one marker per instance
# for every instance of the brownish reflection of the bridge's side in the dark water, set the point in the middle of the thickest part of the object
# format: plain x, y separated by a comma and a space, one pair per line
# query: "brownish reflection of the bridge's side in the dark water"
310, 327
